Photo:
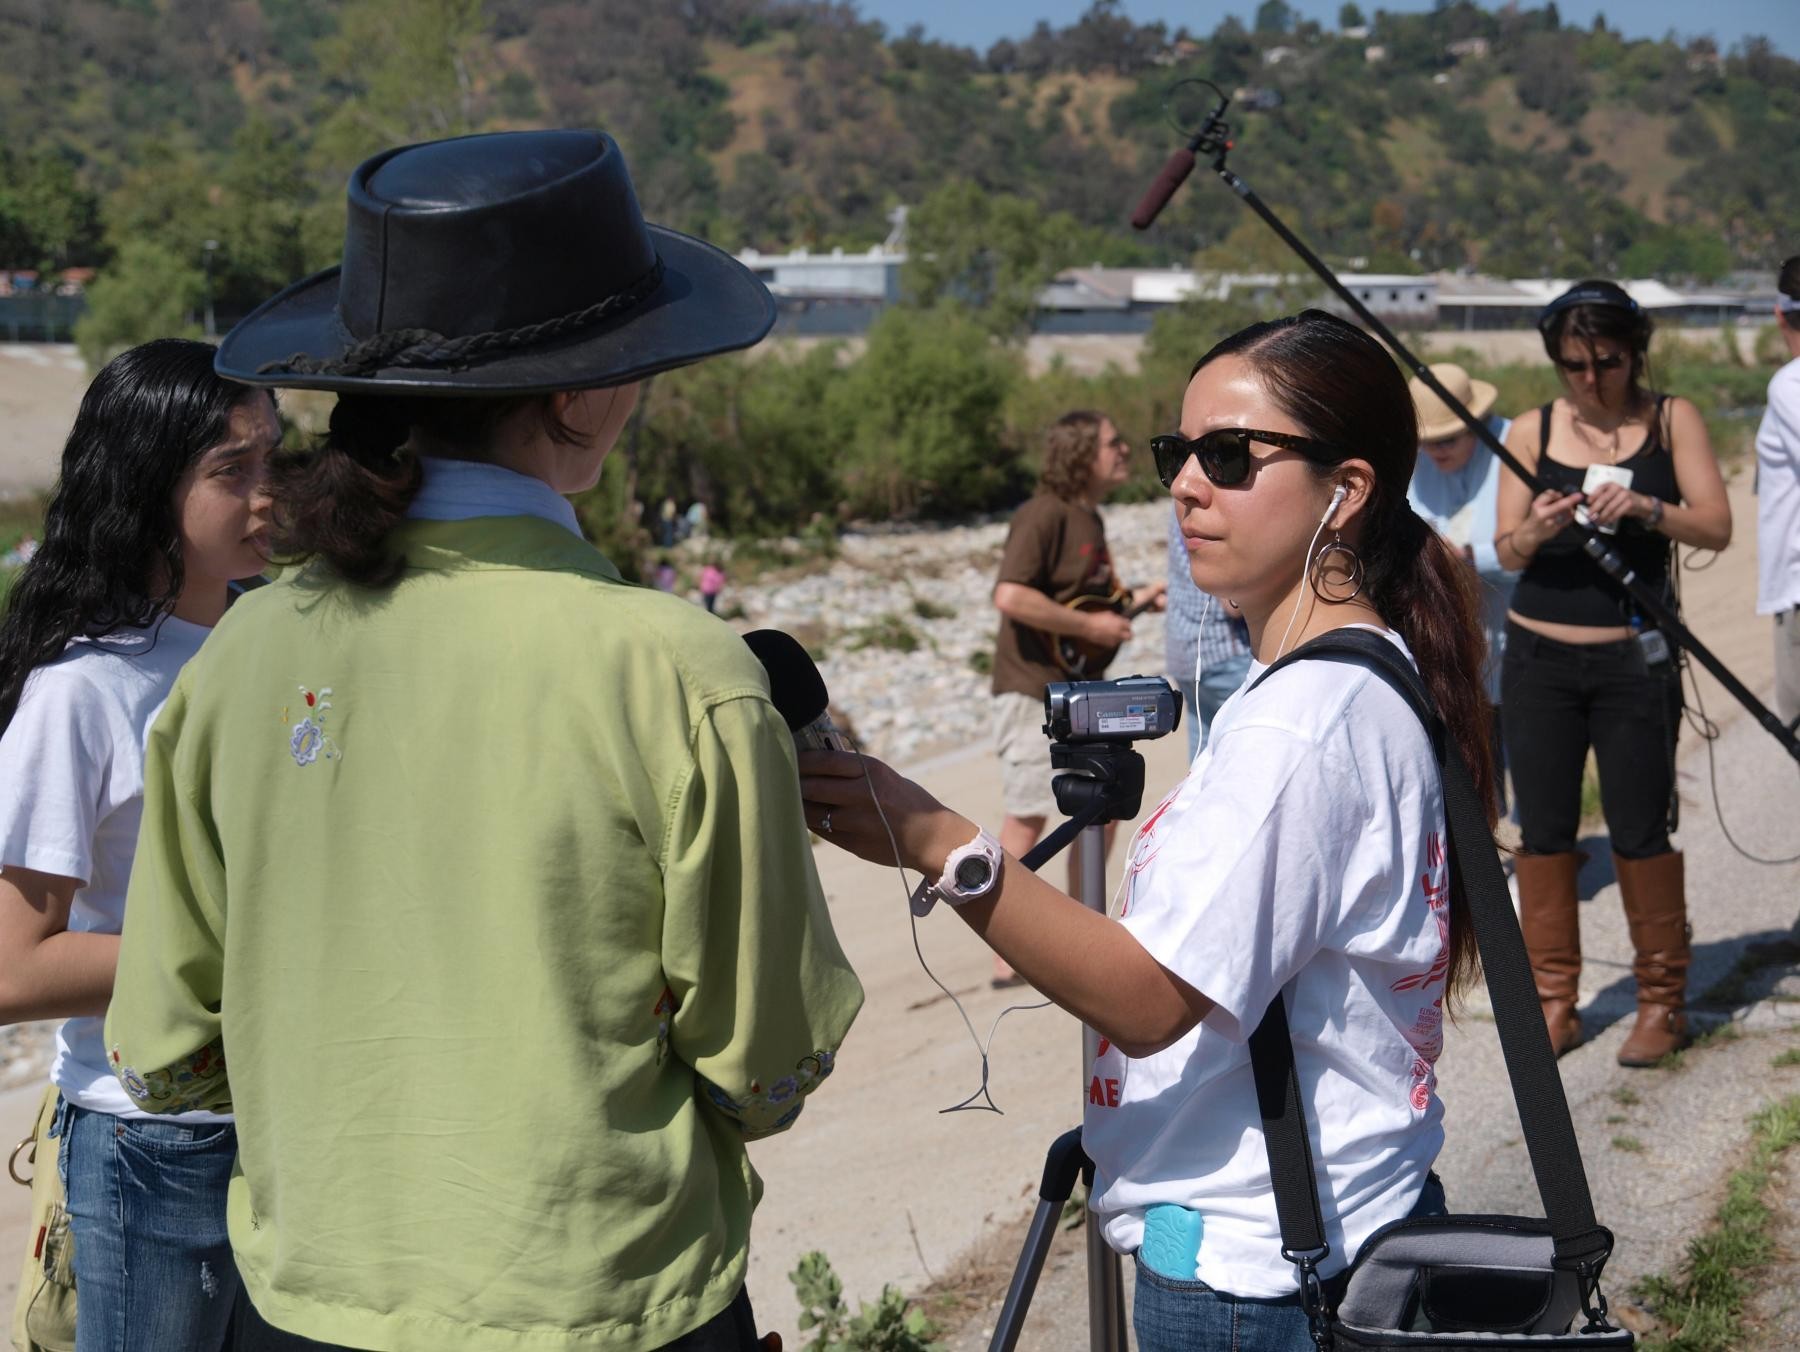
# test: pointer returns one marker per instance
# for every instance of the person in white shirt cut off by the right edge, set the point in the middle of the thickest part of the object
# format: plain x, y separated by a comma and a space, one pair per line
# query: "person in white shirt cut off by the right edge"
1779, 501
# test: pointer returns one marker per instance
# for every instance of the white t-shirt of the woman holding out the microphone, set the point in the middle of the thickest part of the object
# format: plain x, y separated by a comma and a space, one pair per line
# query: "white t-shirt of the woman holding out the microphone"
1302, 852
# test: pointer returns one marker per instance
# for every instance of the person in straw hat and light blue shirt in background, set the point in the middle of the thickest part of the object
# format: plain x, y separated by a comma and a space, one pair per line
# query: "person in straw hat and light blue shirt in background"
1457, 489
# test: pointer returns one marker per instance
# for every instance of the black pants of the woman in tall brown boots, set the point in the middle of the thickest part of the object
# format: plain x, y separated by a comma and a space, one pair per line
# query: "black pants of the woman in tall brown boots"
1556, 701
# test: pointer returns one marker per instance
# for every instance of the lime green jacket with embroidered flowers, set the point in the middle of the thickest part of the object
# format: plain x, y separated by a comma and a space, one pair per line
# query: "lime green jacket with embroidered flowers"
487, 905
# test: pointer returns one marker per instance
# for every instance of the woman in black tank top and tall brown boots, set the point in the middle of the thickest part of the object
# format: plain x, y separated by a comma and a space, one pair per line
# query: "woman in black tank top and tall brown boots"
1585, 667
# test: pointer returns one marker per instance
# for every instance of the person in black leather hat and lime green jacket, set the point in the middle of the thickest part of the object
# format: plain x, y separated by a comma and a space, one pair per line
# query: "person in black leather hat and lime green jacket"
472, 878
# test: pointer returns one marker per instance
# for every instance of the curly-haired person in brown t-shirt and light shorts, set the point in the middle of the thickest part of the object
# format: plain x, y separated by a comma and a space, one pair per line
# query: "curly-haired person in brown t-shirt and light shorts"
1056, 554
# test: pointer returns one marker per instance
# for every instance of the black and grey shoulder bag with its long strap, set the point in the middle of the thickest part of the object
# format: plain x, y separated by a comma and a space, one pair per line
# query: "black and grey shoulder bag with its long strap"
1448, 1281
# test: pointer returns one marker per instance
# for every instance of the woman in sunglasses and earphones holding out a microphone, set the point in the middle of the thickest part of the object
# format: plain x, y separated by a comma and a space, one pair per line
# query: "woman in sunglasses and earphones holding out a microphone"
1300, 858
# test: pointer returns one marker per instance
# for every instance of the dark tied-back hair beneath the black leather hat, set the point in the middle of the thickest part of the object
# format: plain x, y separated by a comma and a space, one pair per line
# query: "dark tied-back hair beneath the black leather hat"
343, 500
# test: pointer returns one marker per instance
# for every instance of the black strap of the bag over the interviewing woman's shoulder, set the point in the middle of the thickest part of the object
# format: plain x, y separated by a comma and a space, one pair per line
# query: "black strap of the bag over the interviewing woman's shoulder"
1531, 1063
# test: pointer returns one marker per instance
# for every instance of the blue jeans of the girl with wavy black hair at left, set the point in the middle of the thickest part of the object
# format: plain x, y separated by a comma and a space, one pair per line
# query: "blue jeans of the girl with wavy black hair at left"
147, 1209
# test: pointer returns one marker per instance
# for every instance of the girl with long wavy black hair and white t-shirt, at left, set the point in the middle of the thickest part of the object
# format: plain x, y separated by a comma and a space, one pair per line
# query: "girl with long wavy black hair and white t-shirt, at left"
159, 509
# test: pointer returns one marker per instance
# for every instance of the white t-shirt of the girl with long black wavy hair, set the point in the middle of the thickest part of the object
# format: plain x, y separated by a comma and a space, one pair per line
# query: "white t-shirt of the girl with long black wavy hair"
73, 797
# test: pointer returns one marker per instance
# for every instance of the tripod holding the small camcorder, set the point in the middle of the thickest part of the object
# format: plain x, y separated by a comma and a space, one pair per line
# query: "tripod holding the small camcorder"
1099, 782
